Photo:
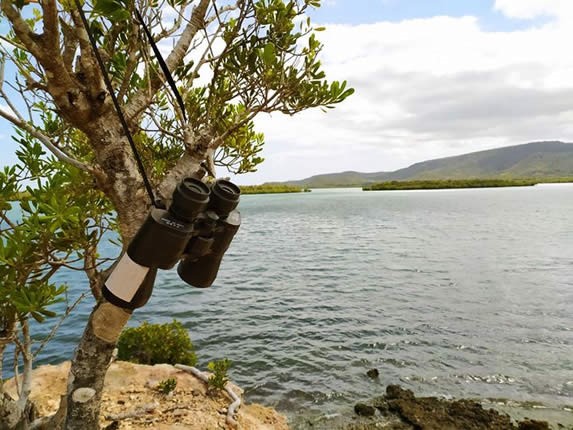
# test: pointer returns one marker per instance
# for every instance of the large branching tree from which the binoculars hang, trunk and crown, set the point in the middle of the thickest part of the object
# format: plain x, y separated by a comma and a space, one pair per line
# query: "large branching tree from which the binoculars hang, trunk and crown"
231, 60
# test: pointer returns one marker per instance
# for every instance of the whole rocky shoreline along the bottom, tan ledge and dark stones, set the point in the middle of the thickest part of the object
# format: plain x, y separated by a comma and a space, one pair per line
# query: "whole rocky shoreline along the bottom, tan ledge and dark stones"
130, 399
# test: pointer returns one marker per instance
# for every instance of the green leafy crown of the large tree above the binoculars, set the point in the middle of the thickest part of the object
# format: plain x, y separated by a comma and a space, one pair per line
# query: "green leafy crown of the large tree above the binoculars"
262, 56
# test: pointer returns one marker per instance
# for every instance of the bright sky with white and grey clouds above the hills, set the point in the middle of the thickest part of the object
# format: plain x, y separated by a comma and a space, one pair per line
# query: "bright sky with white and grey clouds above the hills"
433, 78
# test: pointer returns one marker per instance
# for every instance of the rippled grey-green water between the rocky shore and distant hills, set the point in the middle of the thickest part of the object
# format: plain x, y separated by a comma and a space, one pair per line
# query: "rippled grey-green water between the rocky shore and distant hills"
448, 292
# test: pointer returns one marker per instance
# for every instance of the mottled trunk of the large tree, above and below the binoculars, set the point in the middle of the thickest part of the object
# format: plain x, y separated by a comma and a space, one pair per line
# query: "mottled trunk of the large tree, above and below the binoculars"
123, 185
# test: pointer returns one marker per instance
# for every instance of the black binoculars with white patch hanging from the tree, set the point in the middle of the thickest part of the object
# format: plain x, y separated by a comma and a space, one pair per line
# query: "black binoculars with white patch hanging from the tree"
195, 231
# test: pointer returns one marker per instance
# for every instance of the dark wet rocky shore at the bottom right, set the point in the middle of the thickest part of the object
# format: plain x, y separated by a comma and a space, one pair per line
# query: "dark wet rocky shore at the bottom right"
400, 409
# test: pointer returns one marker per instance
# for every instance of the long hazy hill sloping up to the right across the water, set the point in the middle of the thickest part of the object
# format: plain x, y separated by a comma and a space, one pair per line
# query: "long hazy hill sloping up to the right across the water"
531, 160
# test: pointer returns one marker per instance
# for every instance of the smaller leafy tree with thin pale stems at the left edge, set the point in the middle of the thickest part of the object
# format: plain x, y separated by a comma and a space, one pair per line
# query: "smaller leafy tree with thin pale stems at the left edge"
46, 236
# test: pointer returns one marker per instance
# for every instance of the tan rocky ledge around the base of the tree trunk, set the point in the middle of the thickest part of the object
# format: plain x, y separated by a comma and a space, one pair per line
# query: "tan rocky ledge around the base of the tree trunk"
131, 401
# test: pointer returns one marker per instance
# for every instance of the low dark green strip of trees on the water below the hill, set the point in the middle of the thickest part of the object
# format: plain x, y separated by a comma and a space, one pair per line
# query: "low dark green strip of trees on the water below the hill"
453, 183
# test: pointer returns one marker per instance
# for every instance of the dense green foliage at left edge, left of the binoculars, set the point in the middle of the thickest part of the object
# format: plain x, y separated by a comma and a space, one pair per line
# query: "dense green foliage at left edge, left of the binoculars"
40, 232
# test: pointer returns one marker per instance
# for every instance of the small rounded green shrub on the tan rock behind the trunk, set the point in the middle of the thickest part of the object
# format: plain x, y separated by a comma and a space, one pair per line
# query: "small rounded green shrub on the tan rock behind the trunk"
156, 343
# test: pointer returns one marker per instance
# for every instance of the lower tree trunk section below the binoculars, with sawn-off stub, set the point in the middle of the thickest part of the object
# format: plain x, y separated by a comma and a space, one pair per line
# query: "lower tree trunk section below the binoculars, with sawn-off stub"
90, 364
